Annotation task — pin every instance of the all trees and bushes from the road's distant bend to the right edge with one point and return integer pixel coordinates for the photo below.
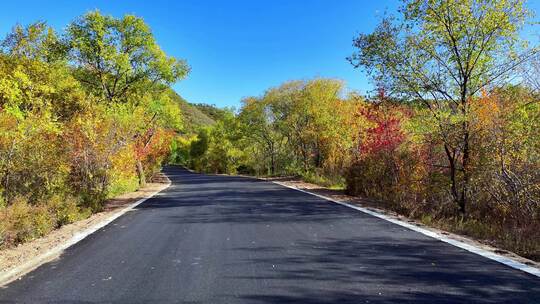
(451, 135)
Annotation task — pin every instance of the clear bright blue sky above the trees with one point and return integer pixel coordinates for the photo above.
(236, 48)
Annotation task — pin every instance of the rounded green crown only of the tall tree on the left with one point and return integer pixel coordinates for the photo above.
(118, 57)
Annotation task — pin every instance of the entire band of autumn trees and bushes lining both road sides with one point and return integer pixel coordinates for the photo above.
(452, 136)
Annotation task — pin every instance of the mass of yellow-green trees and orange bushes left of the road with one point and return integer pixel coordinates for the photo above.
(84, 115)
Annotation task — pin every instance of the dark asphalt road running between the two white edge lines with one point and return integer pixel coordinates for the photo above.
(218, 239)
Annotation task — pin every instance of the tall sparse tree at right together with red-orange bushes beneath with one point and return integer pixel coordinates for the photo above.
(450, 131)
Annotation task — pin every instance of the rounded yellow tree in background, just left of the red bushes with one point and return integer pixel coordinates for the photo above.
(313, 116)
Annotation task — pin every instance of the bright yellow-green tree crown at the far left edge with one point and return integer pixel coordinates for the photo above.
(34, 74)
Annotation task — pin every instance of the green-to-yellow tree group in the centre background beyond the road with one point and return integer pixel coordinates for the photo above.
(298, 127)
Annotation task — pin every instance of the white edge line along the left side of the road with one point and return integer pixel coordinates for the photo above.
(25, 268)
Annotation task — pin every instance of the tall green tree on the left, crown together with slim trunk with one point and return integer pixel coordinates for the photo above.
(120, 61)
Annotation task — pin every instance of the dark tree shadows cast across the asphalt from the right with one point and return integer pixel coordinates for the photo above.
(386, 264)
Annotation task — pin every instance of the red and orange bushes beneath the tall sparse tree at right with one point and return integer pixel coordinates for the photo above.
(401, 162)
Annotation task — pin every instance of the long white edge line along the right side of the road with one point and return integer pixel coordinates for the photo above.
(479, 251)
